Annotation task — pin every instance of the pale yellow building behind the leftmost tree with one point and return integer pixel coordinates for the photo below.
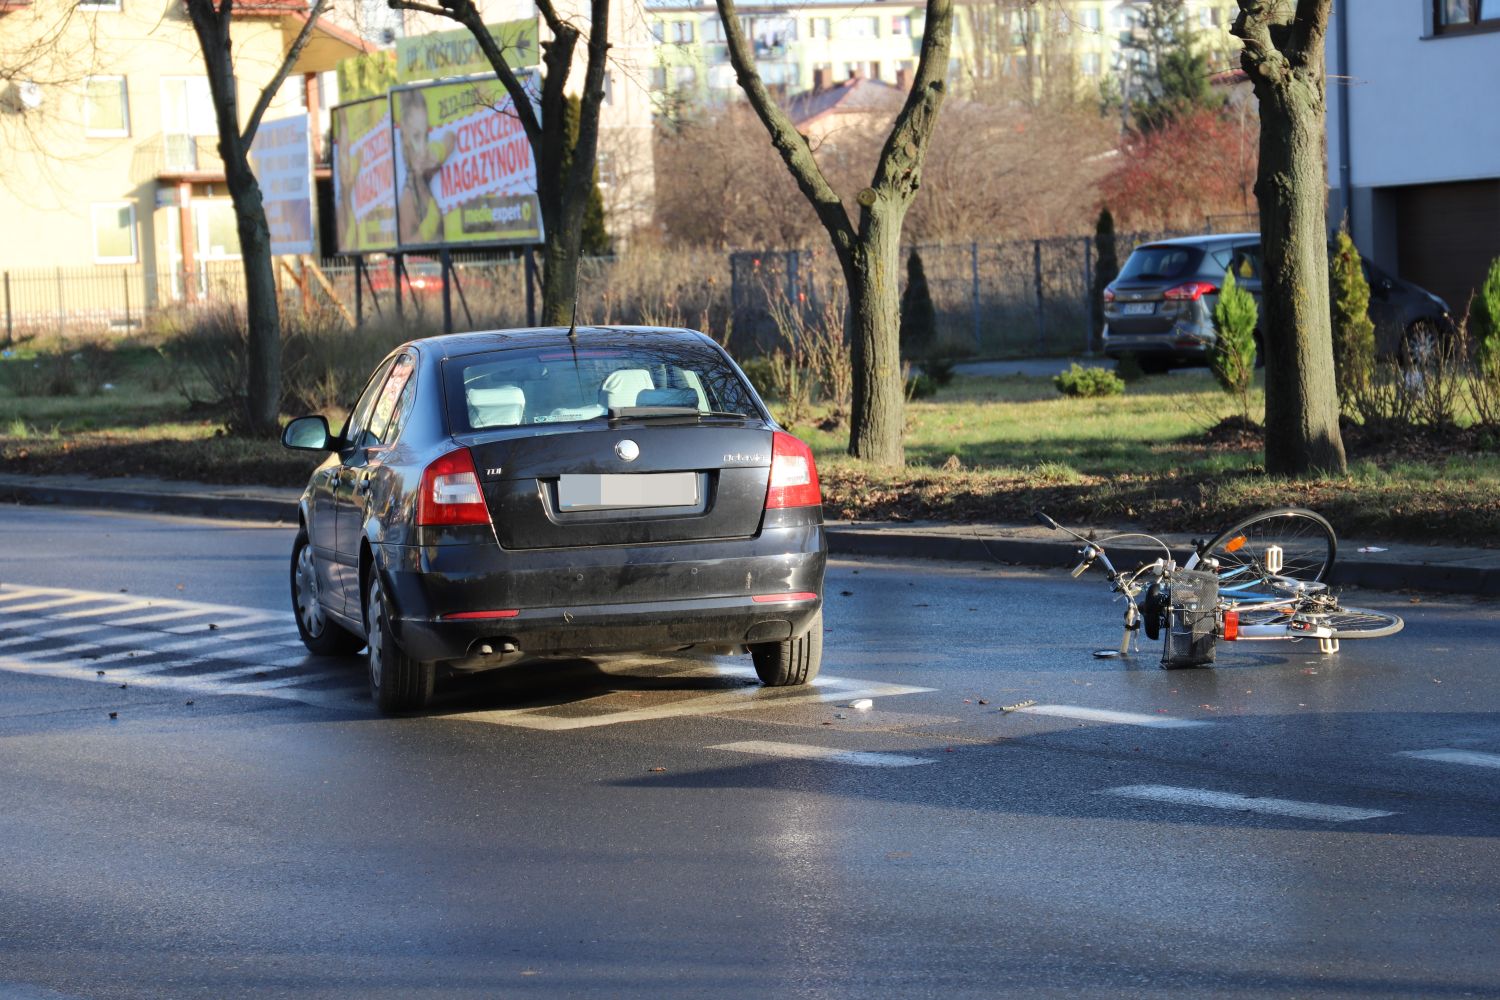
(112, 191)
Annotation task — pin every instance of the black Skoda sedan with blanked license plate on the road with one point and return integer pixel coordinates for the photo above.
(506, 496)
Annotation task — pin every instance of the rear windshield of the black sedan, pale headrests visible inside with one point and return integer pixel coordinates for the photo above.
(562, 385)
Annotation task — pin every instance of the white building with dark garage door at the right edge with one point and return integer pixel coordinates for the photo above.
(1414, 137)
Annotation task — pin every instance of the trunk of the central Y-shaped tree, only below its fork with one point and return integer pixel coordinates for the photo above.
(872, 272)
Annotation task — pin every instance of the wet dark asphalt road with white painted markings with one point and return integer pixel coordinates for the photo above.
(1283, 825)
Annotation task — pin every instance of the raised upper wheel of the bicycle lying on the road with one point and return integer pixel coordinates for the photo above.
(1304, 537)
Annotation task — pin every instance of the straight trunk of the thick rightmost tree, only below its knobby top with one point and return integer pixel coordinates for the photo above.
(1301, 391)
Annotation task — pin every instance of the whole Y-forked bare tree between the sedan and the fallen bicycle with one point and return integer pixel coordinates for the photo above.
(869, 254)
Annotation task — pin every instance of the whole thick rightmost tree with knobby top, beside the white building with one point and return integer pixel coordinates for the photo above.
(1285, 61)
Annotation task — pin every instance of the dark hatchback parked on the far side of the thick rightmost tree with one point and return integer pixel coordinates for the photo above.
(1160, 308)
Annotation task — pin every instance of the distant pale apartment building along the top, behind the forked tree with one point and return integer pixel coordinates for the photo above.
(803, 46)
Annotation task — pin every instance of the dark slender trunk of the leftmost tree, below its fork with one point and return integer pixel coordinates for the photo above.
(262, 310)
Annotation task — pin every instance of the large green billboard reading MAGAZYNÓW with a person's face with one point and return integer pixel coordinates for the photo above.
(464, 166)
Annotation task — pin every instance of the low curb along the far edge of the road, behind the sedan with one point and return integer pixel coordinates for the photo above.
(889, 542)
